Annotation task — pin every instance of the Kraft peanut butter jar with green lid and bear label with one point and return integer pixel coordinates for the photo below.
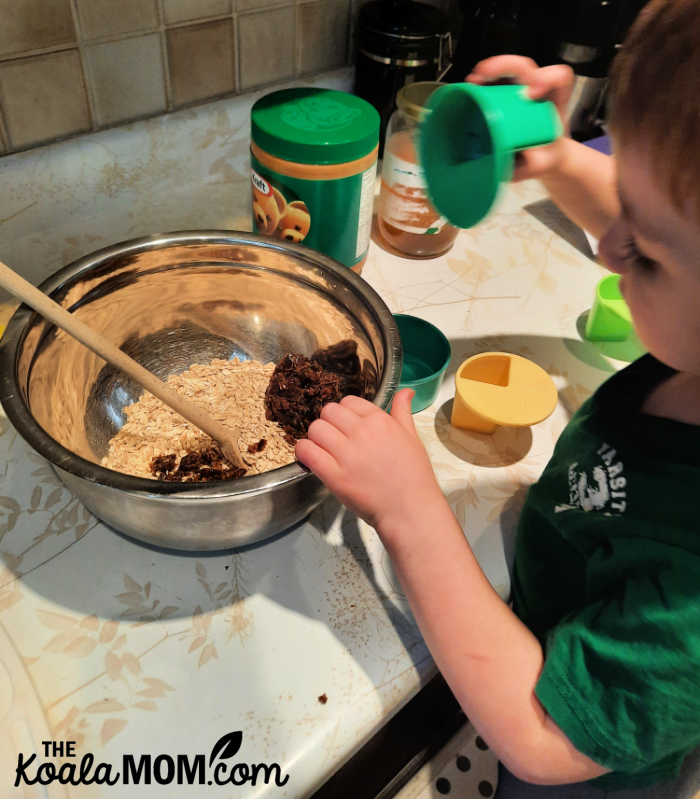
(313, 168)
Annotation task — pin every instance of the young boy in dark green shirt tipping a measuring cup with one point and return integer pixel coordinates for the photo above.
(595, 672)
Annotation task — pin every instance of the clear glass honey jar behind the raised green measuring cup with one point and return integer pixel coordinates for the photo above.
(406, 219)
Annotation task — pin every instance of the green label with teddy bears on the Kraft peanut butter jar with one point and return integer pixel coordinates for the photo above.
(333, 216)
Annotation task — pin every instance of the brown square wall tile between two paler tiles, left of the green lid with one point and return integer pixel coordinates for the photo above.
(201, 60)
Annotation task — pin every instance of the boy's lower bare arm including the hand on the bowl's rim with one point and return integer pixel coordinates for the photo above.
(377, 466)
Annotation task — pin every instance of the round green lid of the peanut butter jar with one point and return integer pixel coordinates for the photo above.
(314, 126)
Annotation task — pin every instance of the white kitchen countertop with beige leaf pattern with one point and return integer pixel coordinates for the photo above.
(130, 650)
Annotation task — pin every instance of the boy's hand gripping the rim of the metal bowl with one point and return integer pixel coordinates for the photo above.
(372, 461)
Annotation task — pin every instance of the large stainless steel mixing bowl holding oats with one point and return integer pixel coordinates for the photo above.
(170, 301)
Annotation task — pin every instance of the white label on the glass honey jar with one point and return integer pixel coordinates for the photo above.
(404, 200)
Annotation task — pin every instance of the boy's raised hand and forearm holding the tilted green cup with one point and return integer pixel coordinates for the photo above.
(580, 180)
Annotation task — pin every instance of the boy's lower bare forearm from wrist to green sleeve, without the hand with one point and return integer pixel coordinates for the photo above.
(489, 658)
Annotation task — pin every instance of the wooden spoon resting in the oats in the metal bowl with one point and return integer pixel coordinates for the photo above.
(192, 412)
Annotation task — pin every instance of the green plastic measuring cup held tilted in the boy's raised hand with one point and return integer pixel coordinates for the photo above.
(468, 142)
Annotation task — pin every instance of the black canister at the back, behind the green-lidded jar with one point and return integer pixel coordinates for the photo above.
(398, 42)
